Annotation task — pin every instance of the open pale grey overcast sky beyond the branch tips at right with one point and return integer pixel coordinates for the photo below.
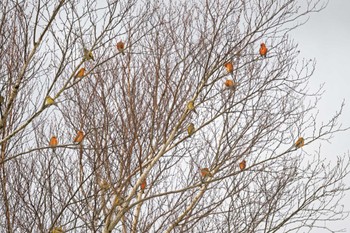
(326, 37)
